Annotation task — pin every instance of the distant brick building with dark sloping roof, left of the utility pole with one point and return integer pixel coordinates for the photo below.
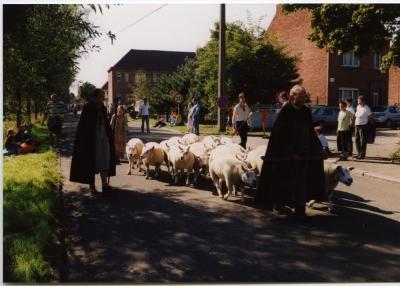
(150, 63)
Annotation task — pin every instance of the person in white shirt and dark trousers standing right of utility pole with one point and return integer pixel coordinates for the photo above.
(241, 113)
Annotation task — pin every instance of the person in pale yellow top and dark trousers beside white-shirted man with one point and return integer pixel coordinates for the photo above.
(344, 130)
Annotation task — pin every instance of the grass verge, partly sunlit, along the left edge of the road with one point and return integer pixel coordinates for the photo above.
(29, 188)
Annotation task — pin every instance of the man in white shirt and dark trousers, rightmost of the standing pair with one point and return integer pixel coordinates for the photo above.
(362, 116)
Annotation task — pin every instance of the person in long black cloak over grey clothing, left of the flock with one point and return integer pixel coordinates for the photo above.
(94, 150)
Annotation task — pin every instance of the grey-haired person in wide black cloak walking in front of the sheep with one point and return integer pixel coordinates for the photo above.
(293, 171)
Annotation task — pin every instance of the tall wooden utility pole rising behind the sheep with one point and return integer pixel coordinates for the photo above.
(221, 68)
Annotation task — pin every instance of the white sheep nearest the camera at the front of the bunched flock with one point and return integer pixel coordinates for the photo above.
(231, 171)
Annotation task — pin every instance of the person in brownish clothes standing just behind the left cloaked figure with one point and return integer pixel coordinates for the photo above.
(119, 124)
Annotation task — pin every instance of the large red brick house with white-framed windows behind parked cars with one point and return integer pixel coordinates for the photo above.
(329, 77)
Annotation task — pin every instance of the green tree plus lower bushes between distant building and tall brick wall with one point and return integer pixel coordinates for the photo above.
(253, 65)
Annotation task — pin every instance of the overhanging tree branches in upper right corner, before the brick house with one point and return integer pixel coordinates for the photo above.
(340, 28)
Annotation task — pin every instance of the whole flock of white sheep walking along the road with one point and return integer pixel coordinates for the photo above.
(217, 156)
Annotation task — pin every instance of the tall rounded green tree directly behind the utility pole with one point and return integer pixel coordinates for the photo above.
(254, 65)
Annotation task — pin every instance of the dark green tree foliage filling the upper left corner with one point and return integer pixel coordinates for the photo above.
(42, 44)
